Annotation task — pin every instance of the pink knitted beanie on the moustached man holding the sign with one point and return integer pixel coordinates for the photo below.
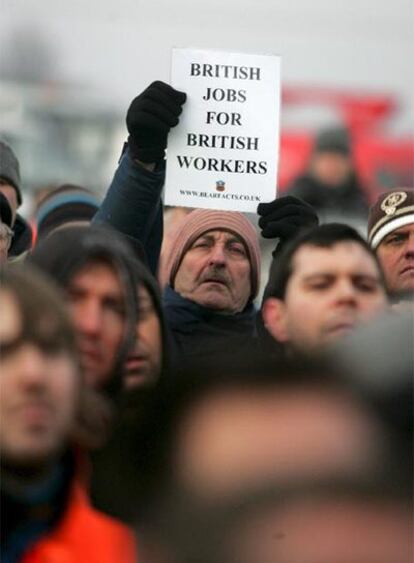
(199, 222)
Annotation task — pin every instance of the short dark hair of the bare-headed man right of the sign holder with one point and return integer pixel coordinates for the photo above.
(323, 236)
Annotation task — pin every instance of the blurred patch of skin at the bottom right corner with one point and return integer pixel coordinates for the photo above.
(292, 533)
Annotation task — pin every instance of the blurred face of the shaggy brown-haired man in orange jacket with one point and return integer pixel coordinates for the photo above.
(39, 392)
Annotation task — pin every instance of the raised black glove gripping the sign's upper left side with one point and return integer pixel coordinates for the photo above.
(149, 119)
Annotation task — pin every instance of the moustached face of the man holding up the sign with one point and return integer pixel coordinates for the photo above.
(215, 272)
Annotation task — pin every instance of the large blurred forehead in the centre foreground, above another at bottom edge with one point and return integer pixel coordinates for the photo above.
(279, 435)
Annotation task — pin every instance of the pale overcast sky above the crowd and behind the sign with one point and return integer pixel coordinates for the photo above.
(118, 46)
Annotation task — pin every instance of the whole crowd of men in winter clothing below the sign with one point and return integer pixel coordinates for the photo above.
(155, 409)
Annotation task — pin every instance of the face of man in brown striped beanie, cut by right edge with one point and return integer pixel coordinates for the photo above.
(396, 255)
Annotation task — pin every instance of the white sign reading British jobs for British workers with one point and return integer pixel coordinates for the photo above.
(224, 152)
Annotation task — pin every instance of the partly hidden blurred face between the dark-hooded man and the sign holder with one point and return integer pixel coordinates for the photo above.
(144, 361)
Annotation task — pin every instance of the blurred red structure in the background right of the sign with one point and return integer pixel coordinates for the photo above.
(382, 161)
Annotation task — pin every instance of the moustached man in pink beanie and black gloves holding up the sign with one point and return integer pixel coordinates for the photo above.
(213, 270)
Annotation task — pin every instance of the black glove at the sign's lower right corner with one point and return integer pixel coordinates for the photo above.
(284, 217)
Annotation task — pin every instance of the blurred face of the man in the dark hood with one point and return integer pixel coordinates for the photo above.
(97, 307)
